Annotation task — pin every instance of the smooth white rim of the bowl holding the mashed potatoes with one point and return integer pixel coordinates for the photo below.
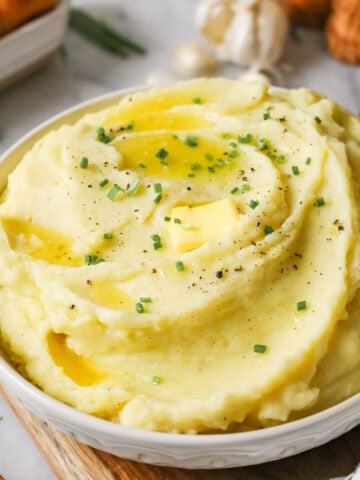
(10, 376)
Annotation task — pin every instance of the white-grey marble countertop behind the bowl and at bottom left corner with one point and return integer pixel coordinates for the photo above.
(83, 72)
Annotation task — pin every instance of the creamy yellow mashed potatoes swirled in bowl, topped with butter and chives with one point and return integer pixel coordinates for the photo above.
(187, 260)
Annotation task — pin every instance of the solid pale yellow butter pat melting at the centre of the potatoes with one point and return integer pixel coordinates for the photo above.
(202, 224)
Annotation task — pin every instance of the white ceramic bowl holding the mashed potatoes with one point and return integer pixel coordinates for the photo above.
(187, 451)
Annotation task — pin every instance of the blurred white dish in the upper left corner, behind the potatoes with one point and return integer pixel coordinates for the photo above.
(31, 45)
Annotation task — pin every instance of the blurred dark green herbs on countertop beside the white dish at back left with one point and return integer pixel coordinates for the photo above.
(102, 35)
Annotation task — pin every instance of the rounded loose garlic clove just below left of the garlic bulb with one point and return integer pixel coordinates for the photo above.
(192, 61)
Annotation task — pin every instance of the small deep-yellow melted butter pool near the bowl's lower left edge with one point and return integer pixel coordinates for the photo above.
(80, 369)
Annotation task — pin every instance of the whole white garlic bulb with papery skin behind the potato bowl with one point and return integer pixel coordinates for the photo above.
(245, 32)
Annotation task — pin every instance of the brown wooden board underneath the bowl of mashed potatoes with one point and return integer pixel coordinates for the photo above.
(71, 460)
